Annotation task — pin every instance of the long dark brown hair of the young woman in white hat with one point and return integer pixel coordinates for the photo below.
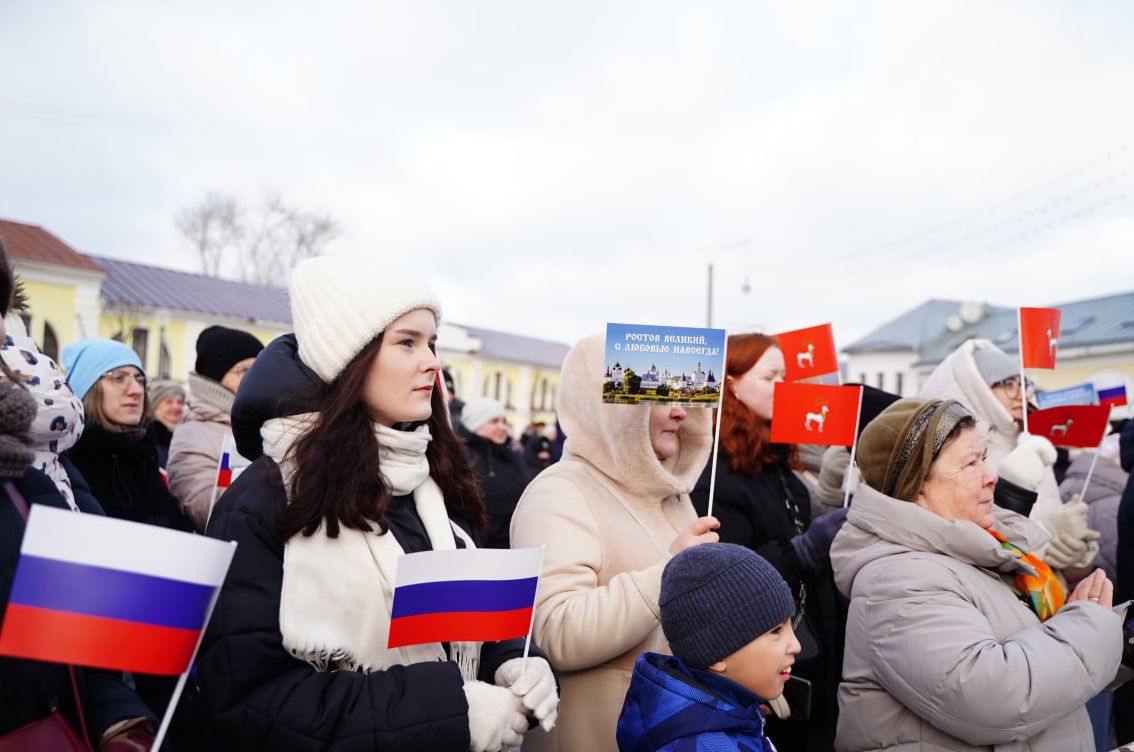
(337, 472)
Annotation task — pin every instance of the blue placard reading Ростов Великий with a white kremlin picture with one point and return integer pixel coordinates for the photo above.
(663, 366)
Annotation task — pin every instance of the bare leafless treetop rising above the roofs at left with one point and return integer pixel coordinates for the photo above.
(264, 243)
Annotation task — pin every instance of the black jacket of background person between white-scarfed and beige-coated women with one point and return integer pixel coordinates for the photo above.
(503, 476)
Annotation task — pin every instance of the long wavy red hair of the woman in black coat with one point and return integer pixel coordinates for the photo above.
(746, 436)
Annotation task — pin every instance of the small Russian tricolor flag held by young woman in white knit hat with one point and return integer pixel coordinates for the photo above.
(464, 596)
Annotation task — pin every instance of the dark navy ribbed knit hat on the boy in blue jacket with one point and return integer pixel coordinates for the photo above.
(716, 598)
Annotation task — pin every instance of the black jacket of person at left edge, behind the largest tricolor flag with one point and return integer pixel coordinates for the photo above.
(30, 688)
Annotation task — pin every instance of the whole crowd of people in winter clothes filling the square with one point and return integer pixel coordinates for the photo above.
(969, 597)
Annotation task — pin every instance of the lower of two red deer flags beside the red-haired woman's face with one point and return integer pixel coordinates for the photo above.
(815, 413)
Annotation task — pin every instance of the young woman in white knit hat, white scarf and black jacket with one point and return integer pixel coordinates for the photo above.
(356, 464)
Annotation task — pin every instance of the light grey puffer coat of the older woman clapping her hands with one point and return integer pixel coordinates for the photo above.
(942, 654)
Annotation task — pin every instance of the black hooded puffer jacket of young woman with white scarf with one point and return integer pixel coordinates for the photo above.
(256, 695)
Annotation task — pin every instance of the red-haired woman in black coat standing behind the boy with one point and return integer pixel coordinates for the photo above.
(764, 505)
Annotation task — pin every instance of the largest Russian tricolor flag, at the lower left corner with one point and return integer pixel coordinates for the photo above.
(109, 594)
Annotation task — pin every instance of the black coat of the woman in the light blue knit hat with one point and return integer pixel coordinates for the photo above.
(123, 472)
